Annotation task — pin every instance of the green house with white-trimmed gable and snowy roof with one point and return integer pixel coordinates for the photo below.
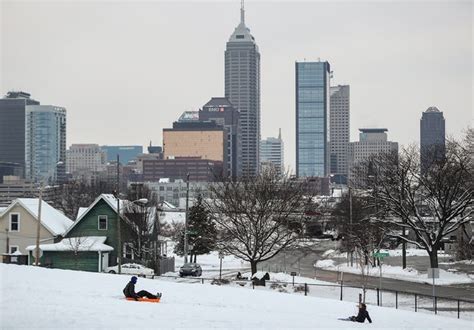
(91, 243)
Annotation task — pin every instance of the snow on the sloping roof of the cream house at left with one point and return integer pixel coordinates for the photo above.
(53, 220)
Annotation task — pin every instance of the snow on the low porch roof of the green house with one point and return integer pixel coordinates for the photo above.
(84, 243)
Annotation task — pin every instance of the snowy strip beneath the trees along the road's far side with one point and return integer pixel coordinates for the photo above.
(397, 272)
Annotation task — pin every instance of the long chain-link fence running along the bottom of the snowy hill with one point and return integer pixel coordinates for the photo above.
(460, 308)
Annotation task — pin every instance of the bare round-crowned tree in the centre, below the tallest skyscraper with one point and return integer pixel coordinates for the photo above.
(257, 217)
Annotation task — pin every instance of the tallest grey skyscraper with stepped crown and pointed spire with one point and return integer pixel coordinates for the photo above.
(242, 88)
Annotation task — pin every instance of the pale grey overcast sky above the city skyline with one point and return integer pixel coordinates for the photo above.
(126, 70)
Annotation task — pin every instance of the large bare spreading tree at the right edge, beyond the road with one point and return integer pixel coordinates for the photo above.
(431, 205)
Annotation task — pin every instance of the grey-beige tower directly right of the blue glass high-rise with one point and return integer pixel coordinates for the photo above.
(339, 130)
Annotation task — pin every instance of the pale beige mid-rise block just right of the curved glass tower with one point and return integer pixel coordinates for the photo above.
(85, 159)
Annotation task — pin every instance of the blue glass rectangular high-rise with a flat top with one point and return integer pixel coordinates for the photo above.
(312, 122)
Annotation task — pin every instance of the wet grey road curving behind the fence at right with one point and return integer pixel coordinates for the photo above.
(302, 262)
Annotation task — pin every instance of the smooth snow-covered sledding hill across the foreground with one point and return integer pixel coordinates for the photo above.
(49, 298)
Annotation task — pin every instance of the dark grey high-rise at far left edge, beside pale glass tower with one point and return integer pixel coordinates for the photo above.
(12, 128)
